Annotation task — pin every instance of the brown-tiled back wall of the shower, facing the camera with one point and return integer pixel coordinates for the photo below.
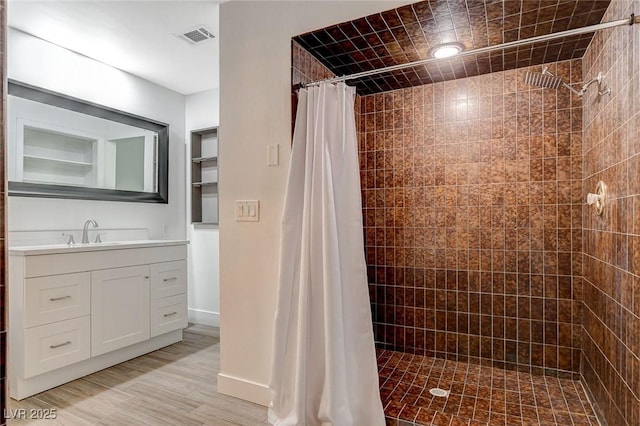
(472, 206)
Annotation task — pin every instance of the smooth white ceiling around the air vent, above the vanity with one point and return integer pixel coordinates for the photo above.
(135, 36)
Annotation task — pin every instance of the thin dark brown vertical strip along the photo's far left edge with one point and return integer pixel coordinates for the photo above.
(3, 198)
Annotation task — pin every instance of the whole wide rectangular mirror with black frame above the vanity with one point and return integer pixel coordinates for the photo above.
(63, 147)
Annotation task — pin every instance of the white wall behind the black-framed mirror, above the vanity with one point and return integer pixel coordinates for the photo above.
(37, 62)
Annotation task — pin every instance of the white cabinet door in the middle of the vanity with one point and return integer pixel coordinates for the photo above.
(119, 308)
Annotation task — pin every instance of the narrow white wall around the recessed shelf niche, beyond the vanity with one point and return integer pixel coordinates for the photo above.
(202, 112)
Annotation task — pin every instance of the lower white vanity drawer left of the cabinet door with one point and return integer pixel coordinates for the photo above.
(56, 345)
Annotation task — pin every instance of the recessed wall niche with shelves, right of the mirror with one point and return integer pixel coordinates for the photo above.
(204, 176)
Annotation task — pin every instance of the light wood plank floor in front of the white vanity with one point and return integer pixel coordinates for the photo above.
(176, 386)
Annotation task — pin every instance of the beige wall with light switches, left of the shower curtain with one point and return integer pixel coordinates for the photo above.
(255, 60)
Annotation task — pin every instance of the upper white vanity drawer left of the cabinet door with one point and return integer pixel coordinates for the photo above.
(56, 298)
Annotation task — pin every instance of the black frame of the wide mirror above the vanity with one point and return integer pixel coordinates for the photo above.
(26, 189)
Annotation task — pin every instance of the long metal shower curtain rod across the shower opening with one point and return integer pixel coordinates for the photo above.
(576, 31)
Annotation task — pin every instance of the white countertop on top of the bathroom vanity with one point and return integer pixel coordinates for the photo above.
(76, 248)
